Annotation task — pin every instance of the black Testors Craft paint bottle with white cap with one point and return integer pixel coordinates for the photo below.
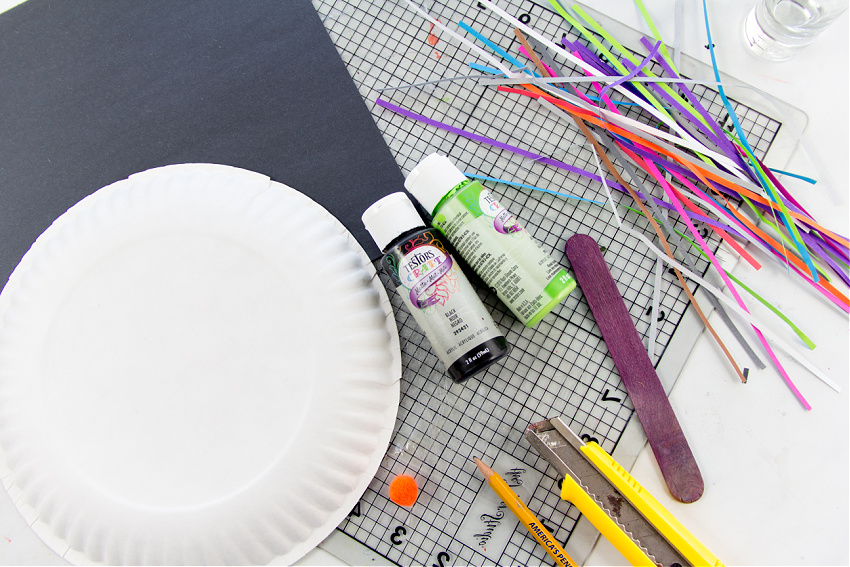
(432, 285)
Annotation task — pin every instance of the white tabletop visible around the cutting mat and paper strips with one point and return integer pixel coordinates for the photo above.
(776, 475)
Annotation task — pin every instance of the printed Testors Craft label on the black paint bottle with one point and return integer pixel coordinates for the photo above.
(441, 300)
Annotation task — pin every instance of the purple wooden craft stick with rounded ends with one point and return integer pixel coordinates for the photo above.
(654, 411)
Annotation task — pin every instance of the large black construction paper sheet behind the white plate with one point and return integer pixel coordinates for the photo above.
(92, 92)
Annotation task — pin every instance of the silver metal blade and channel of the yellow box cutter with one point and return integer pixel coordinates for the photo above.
(562, 449)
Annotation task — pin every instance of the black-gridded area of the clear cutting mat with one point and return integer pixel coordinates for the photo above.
(561, 367)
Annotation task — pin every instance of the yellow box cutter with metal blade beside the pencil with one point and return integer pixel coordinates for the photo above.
(607, 495)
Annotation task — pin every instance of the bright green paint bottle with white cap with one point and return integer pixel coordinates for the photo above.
(490, 239)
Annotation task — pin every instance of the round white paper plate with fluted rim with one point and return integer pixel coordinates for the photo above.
(197, 365)
